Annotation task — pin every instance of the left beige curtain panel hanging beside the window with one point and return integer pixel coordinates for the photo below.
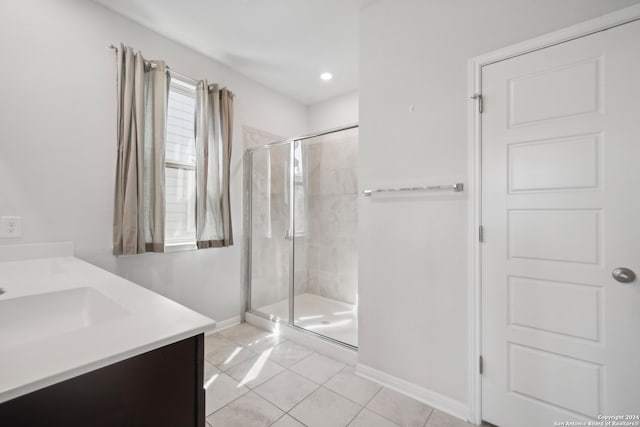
(138, 220)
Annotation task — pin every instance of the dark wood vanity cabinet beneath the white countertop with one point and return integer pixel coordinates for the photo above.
(160, 388)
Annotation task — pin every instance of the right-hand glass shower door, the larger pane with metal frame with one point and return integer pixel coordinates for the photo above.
(325, 197)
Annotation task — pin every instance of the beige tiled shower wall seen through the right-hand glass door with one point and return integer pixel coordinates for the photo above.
(332, 216)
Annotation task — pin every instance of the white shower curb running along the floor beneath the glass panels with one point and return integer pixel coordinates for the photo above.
(328, 348)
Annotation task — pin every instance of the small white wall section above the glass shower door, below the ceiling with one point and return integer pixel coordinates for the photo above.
(332, 113)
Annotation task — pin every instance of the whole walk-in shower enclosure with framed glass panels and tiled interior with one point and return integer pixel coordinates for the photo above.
(302, 223)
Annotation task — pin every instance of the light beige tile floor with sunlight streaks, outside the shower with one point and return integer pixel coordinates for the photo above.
(254, 378)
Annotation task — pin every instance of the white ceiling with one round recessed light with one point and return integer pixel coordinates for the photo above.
(283, 44)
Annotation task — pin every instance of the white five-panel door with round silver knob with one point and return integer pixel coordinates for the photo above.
(561, 211)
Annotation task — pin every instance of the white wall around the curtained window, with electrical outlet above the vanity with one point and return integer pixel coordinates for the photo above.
(58, 141)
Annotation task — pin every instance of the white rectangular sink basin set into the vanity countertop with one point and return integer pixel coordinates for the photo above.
(35, 317)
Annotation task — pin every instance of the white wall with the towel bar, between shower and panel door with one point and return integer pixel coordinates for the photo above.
(413, 251)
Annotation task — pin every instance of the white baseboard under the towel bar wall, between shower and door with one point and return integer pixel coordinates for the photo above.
(435, 400)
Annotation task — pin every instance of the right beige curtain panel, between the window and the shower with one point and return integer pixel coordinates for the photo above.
(214, 135)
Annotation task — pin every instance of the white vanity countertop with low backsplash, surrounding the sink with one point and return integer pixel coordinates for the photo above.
(146, 321)
